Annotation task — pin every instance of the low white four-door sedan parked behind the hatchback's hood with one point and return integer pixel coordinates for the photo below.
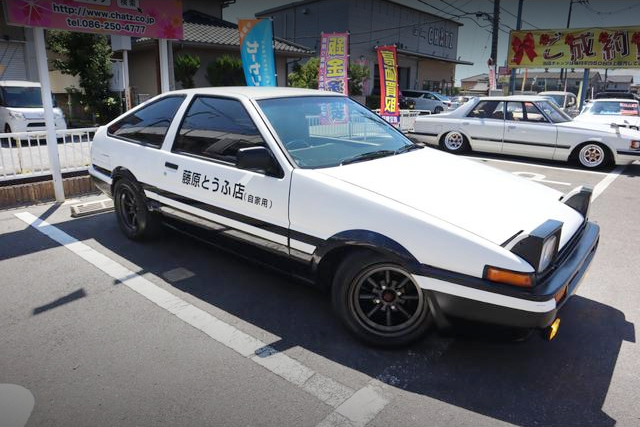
(530, 126)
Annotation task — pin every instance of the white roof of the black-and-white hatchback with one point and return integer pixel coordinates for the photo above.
(255, 92)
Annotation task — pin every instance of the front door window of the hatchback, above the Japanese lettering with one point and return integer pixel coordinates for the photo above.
(216, 128)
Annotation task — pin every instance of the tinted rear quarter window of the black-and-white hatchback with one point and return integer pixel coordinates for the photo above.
(148, 125)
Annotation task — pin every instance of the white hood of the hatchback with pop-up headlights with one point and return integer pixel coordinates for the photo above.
(480, 199)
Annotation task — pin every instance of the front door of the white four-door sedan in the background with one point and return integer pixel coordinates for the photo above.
(528, 132)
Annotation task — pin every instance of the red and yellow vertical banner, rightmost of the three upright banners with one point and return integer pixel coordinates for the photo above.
(388, 66)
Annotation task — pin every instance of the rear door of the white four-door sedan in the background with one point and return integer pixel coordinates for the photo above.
(484, 125)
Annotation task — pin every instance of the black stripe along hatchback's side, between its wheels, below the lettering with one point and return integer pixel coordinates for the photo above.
(254, 222)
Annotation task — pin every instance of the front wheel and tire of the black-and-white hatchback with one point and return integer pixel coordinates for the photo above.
(379, 301)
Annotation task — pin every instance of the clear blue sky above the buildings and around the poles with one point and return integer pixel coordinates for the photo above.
(474, 37)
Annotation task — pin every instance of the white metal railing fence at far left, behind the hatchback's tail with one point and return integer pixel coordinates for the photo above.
(25, 154)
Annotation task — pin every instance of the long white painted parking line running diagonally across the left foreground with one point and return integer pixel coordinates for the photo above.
(357, 406)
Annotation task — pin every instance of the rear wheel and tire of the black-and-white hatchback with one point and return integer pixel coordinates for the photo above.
(134, 218)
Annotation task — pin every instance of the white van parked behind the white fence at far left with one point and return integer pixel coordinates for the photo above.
(21, 108)
